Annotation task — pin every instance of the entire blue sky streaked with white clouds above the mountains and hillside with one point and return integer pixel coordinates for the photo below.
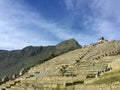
(48, 22)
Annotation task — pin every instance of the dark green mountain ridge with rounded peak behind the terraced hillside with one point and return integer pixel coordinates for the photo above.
(11, 62)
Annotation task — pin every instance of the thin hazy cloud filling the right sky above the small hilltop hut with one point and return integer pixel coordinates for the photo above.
(100, 17)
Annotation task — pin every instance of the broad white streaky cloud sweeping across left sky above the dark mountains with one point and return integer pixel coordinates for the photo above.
(21, 25)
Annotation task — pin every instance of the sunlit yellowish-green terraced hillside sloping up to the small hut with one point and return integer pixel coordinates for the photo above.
(75, 70)
